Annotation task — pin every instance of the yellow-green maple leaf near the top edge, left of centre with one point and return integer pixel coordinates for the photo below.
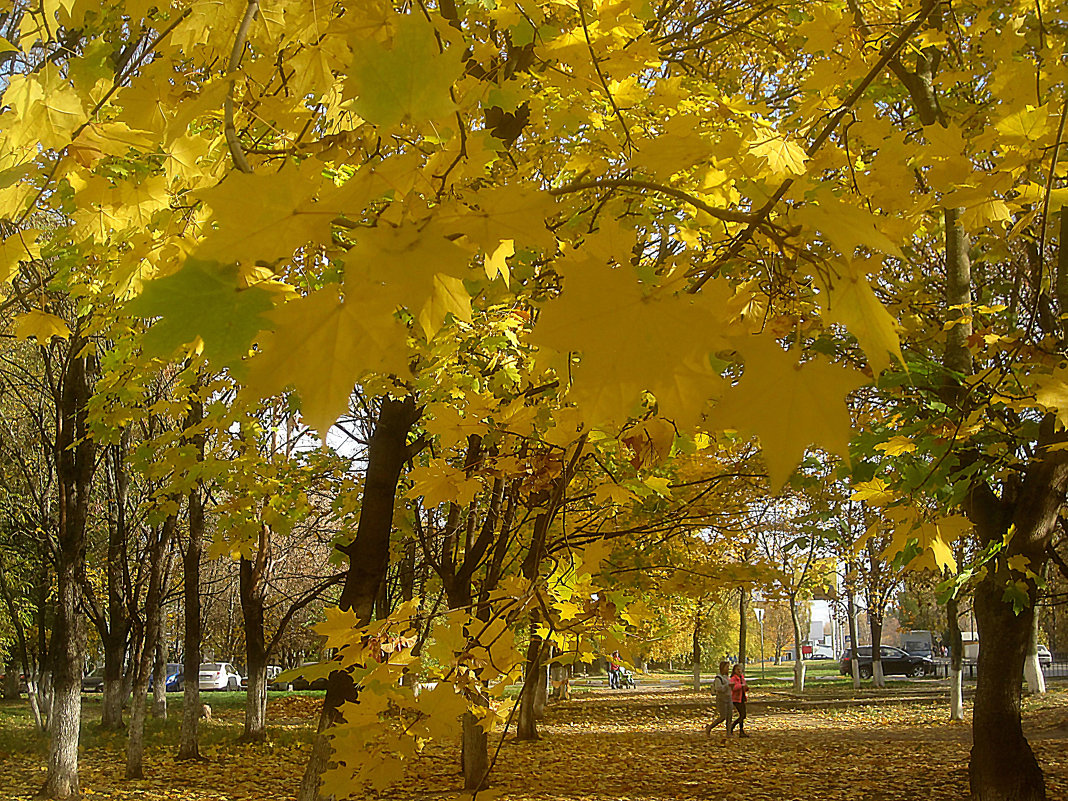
(409, 82)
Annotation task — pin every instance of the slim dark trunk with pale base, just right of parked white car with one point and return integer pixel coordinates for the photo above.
(254, 591)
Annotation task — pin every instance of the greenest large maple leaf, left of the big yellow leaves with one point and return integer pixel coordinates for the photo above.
(202, 300)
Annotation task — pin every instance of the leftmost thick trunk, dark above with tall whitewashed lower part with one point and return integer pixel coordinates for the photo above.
(75, 460)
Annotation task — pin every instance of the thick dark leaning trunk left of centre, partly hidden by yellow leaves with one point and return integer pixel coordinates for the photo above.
(368, 562)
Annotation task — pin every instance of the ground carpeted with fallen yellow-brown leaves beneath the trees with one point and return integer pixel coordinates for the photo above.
(604, 746)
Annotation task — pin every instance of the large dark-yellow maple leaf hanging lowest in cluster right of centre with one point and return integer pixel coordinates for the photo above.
(790, 406)
